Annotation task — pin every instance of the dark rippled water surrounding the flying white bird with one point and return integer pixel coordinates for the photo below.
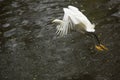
(30, 49)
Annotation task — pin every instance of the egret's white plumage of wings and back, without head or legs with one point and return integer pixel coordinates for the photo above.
(72, 17)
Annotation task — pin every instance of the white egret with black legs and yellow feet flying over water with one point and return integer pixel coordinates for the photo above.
(74, 19)
